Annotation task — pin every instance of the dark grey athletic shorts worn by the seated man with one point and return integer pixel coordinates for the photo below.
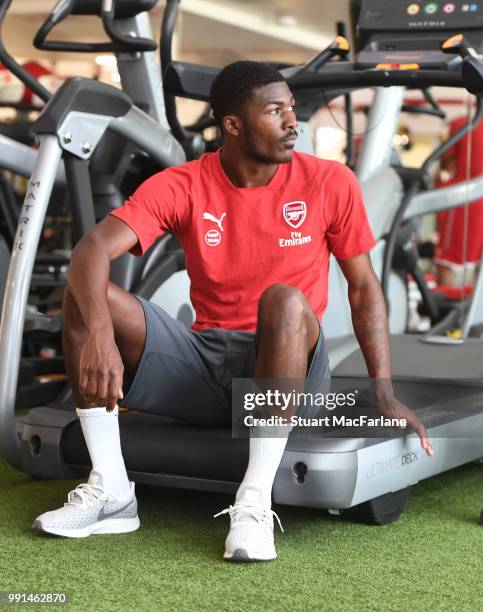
(187, 375)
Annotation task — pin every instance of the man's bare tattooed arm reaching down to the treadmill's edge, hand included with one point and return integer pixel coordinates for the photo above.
(369, 318)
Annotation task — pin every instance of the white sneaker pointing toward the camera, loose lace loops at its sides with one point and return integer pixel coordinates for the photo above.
(251, 532)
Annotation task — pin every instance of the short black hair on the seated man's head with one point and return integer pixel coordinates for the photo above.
(234, 85)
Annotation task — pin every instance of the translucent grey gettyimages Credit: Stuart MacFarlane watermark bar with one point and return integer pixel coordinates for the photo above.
(356, 407)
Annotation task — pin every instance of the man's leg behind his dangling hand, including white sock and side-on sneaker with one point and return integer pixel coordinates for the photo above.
(108, 492)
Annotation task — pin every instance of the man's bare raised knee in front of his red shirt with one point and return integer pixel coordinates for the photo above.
(282, 307)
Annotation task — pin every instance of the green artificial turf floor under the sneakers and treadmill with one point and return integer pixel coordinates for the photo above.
(431, 559)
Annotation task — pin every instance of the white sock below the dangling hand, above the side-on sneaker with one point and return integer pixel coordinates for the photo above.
(101, 433)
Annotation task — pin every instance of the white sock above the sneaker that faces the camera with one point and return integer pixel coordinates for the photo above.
(265, 456)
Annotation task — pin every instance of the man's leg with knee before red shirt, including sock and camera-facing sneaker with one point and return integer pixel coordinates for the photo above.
(287, 334)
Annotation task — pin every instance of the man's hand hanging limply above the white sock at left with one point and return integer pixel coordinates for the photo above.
(101, 370)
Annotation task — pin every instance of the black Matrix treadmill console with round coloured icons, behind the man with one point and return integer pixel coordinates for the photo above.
(411, 32)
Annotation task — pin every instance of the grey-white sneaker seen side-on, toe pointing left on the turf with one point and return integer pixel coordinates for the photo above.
(90, 509)
